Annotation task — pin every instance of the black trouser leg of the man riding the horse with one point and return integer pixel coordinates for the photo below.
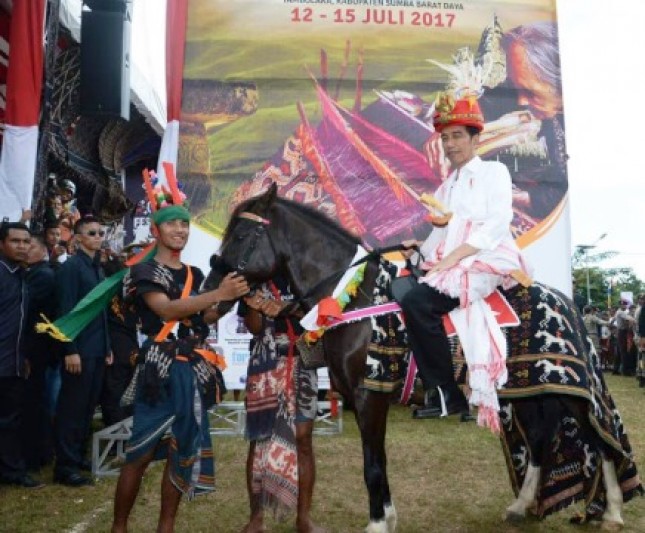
(423, 309)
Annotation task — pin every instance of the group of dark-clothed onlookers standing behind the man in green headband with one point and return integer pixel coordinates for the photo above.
(49, 388)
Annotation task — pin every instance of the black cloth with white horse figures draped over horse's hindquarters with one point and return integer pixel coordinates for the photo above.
(549, 353)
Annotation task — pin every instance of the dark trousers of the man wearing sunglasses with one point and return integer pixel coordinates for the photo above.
(79, 395)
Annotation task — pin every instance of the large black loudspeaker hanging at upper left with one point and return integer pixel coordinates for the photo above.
(105, 60)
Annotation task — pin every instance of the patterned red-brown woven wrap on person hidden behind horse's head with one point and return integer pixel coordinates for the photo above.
(279, 393)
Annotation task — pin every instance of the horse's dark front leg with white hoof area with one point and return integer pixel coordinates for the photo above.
(371, 410)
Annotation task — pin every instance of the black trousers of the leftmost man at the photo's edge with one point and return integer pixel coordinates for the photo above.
(12, 394)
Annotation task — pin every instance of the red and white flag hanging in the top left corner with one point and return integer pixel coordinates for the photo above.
(22, 109)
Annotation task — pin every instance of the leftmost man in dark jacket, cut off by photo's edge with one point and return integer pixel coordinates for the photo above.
(14, 242)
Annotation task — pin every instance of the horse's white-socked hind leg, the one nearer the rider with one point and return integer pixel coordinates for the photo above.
(539, 418)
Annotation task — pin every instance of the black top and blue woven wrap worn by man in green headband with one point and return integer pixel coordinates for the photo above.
(173, 385)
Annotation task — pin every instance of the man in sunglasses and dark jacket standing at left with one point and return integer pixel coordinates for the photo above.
(85, 358)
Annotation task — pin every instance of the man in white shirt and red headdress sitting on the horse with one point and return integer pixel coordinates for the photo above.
(465, 260)
